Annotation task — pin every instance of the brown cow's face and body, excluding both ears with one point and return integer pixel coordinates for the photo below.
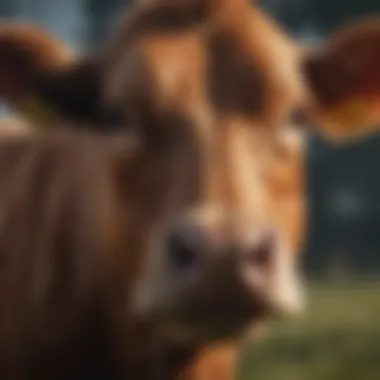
(138, 255)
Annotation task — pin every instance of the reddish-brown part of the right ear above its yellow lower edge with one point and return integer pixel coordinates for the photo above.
(347, 66)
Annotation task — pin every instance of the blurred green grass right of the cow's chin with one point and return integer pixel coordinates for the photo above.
(338, 338)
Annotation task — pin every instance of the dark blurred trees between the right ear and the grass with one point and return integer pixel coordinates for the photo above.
(344, 189)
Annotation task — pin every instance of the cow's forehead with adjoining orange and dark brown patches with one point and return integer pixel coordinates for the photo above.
(211, 74)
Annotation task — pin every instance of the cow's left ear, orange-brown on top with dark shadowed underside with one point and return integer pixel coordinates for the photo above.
(41, 79)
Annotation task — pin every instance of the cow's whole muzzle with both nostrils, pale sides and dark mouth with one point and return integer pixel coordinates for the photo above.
(210, 288)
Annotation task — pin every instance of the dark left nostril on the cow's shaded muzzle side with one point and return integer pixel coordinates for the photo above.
(184, 248)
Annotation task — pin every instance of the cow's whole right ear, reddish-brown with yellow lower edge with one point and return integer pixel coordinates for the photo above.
(343, 75)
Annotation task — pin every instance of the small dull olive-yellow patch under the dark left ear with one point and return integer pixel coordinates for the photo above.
(37, 112)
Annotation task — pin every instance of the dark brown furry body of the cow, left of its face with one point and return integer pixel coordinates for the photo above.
(69, 252)
